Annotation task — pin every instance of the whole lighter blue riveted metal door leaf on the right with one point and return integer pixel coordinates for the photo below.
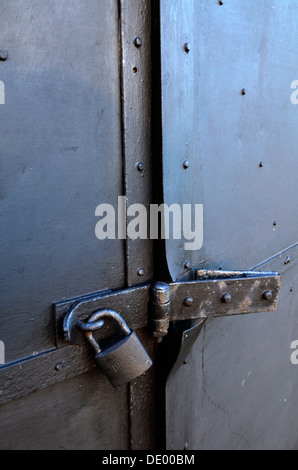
(228, 72)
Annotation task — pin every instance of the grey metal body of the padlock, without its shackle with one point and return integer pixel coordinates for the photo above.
(124, 361)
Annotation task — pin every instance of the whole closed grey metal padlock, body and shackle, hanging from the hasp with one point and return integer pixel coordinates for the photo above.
(123, 360)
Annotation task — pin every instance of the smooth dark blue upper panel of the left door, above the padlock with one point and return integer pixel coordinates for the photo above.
(60, 150)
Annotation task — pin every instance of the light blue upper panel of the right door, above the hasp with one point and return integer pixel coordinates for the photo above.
(225, 135)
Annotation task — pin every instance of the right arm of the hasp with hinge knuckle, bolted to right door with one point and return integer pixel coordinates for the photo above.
(213, 294)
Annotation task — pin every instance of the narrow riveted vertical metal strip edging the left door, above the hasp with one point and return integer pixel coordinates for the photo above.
(136, 114)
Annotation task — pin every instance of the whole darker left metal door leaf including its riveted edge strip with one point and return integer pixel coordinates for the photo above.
(76, 112)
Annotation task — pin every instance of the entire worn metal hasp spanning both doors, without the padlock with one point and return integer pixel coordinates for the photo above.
(207, 294)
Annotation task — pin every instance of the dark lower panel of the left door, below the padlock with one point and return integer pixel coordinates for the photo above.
(83, 413)
